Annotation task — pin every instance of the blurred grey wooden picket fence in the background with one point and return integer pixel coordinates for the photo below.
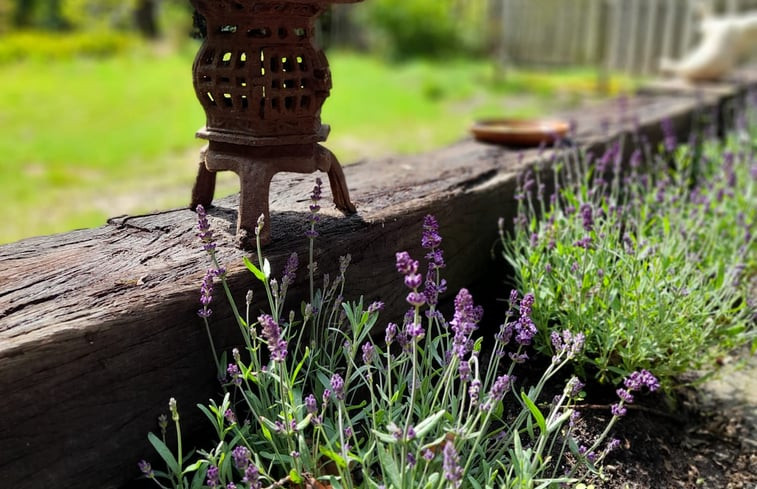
(619, 35)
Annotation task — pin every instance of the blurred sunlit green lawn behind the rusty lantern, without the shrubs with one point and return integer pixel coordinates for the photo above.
(83, 140)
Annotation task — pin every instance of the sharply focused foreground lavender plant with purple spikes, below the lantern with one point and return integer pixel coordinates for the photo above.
(316, 400)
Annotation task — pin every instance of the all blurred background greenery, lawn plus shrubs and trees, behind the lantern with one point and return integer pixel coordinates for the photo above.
(98, 113)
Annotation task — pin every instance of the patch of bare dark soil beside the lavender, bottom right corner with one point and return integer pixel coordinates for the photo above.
(709, 442)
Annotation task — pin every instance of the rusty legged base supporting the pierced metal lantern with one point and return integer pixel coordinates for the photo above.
(255, 167)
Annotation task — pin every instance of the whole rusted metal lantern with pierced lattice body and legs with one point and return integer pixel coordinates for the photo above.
(262, 82)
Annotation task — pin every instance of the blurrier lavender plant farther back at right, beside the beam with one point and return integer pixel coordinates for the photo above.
(652, 266)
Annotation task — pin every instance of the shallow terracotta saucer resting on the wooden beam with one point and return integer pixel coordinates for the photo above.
(519, 132)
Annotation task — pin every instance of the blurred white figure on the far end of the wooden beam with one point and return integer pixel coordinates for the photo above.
(725, 41)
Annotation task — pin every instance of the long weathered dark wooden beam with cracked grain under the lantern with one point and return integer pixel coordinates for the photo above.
(98, 328)
